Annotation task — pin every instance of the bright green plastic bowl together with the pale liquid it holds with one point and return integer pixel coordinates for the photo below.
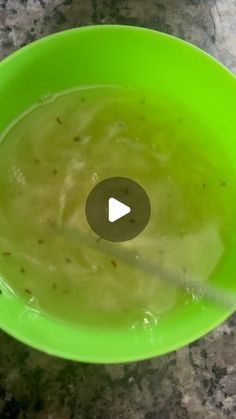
(99, 103)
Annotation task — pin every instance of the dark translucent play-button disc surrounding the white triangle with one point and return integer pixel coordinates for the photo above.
(127, 192)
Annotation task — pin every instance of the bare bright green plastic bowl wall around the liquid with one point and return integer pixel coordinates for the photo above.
(125, 56)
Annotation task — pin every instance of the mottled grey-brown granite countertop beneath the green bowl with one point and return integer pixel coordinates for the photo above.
(196, 382)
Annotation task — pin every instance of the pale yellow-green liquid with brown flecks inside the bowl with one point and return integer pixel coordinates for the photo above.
(52, 157)
